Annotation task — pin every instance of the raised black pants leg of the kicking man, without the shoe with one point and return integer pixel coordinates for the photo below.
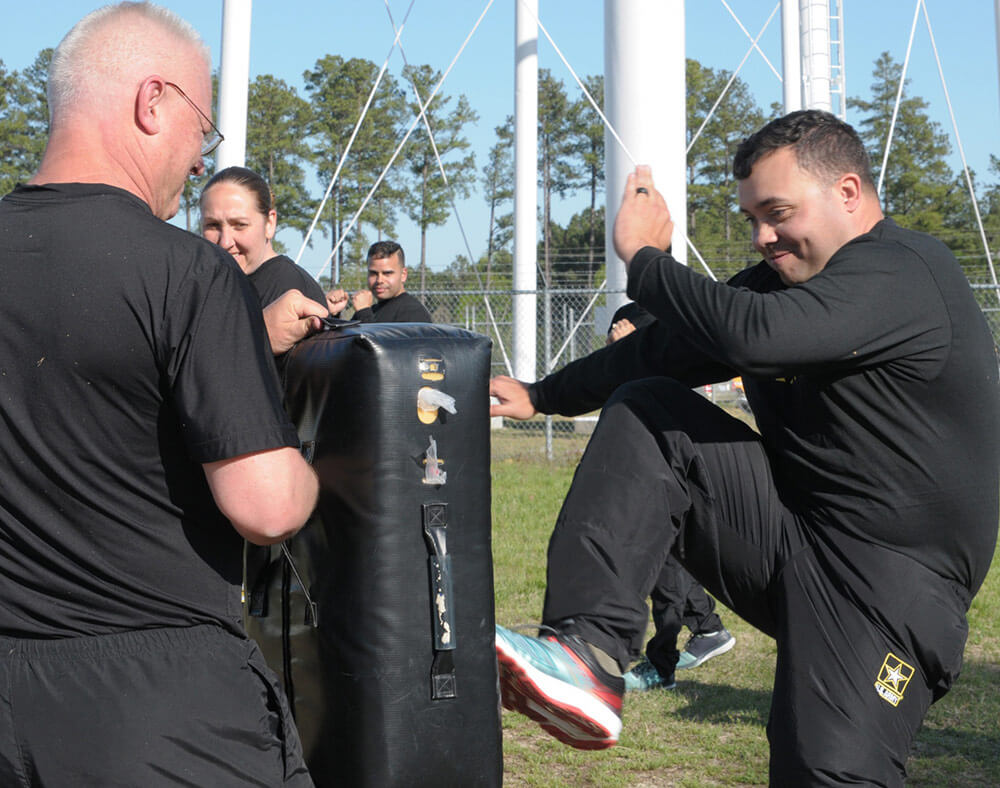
(664, 470)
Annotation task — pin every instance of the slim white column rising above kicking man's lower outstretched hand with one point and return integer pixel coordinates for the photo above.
(525, 320)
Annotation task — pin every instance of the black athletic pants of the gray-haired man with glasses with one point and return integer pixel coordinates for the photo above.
(166, 707)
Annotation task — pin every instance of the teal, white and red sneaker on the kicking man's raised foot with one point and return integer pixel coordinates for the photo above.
(556, 681)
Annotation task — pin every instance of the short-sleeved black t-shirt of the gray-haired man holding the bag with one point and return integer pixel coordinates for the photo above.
(146, 358)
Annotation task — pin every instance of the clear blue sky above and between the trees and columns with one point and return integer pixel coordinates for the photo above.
(289, 36)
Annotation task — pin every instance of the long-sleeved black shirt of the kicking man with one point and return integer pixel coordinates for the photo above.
(874, 386)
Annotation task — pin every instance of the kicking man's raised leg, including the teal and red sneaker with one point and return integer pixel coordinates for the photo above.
(663, 466)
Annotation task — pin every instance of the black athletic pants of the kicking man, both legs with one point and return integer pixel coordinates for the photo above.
(866, 637)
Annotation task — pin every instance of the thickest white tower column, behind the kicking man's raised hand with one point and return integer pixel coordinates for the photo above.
(644, 99)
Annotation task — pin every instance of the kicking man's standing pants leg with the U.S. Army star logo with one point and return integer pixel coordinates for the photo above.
(868, 639)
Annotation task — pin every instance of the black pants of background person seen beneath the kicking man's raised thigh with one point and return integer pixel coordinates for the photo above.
(677, 601)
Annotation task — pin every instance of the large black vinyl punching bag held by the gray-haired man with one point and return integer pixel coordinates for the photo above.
(396, 683)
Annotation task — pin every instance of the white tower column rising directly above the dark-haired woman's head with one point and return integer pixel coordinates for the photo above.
(234, 83)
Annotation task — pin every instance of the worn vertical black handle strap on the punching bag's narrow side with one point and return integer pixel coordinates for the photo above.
(435, 522)
